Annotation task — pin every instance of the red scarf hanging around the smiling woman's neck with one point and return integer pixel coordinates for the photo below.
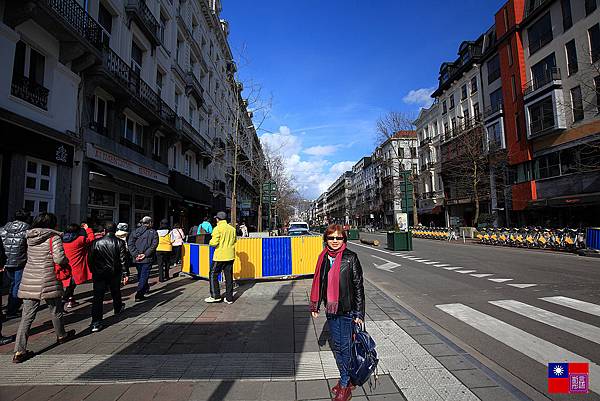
(333, 281)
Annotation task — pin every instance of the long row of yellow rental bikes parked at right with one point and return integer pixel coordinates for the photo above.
(559, 239)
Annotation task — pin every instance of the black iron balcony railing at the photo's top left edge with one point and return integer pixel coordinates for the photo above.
(73, 15)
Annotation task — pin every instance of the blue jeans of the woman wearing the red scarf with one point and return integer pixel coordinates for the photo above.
(340, 330)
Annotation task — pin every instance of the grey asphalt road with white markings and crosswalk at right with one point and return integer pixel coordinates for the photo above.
(514, 309)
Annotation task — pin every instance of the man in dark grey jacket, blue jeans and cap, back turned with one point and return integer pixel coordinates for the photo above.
(142, 245)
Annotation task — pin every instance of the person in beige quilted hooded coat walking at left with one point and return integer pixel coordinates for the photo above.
(44, 251)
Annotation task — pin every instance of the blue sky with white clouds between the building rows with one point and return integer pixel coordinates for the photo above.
(334, 67)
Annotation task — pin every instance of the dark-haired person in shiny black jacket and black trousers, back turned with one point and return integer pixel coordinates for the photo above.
(107, 259)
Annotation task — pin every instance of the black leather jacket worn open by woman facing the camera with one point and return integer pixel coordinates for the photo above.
(352, 292)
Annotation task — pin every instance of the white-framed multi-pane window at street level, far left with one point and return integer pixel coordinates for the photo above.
(40, 179)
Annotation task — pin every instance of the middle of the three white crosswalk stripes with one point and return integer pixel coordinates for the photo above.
(567, 324)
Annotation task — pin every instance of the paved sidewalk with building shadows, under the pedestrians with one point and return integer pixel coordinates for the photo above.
(263, 347)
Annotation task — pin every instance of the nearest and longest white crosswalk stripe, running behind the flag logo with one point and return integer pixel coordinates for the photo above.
(534, 347)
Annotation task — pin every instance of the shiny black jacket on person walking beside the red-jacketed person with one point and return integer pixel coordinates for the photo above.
(107, 257)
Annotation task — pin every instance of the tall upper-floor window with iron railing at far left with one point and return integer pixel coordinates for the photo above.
(28, 76)
